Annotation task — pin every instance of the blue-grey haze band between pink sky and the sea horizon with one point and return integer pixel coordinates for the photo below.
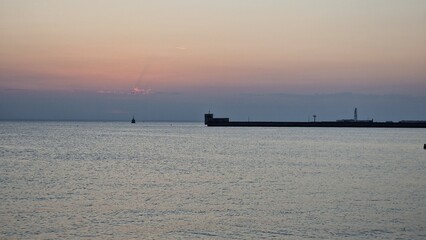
(175, 106)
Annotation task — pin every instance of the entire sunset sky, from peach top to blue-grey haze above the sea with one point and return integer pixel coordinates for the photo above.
(176, 59)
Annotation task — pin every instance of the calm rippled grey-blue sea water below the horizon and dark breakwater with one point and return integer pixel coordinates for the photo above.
(176, 180)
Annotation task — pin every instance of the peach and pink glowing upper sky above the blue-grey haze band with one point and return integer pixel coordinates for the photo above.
(260, 46)
